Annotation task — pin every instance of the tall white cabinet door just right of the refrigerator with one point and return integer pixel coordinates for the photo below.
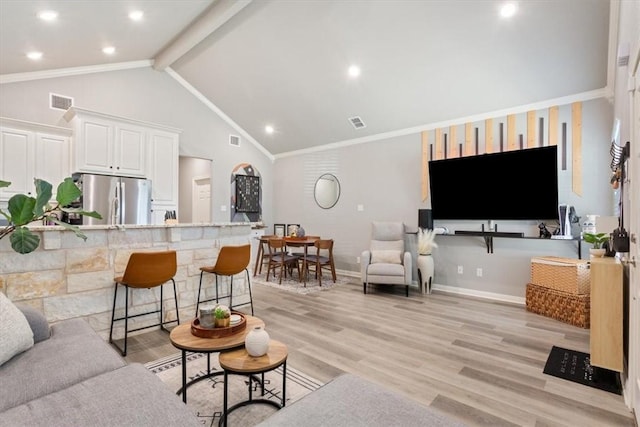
(163, 166)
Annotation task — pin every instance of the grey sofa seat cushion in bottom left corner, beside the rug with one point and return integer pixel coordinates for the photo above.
(129, 396)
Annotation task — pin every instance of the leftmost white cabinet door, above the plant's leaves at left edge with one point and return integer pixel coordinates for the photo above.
(16, 162)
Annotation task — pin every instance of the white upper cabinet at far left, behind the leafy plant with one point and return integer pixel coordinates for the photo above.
(31, 150)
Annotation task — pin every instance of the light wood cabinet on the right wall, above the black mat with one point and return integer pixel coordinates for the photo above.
(606, 314)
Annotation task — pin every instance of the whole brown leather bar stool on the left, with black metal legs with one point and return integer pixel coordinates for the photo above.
(145, 270)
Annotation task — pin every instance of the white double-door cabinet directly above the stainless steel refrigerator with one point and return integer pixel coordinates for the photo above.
(107, 144)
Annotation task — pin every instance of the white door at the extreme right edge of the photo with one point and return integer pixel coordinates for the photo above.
(634, 255)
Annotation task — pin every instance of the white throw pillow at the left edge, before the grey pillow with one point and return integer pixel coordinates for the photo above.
(15, 333)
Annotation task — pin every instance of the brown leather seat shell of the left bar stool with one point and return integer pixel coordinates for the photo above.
(149, 269)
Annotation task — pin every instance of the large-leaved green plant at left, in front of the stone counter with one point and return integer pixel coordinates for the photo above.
(23, 209)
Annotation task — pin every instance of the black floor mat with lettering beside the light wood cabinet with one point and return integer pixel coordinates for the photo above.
(576, 366)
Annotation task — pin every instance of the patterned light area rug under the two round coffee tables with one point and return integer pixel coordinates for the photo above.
(206, 396)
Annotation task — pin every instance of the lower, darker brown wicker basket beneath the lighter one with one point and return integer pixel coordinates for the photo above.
(563, 306)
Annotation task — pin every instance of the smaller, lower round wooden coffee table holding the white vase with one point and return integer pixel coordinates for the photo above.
(240, 363)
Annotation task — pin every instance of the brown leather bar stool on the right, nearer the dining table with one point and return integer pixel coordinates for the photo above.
(231, 260)
